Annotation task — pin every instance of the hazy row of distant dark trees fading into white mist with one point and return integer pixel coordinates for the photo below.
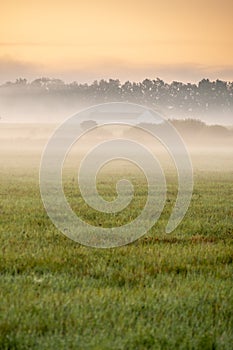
(187, 100)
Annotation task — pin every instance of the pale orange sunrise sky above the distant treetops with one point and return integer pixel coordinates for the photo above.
(84, 40)
